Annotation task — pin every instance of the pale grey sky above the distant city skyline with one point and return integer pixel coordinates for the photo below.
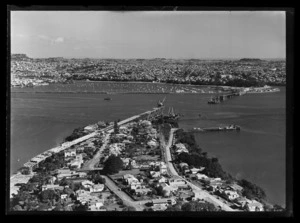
(149, 34)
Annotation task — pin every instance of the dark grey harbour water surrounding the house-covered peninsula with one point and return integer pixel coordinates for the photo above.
(257, 153)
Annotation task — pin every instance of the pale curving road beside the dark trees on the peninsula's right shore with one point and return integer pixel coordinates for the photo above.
(206, 196)
